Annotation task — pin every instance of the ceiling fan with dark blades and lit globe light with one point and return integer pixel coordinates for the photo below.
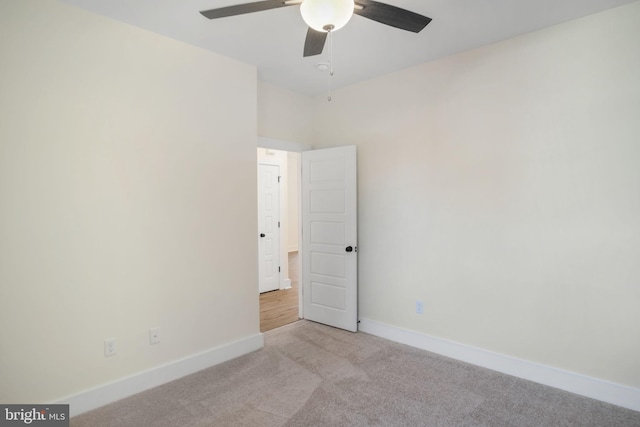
(326, 16)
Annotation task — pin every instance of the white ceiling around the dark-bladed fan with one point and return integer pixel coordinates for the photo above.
(273, 40)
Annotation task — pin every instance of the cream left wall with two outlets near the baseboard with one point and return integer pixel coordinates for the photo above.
(116, 150)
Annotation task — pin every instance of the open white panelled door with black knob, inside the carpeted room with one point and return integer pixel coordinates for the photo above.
(329, 237)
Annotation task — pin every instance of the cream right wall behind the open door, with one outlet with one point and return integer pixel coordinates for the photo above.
(501, 187)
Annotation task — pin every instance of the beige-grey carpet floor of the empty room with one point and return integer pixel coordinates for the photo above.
(313, 375)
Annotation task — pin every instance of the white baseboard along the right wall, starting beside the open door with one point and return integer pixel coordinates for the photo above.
(605, 391)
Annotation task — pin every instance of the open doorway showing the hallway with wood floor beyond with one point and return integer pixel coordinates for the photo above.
(279, 237)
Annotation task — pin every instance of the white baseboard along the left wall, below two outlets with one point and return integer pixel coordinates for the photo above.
(128, 386)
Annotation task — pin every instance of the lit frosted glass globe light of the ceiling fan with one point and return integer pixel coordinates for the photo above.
(325, 15)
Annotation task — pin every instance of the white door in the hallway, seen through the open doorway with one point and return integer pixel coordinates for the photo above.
(268, 227)
